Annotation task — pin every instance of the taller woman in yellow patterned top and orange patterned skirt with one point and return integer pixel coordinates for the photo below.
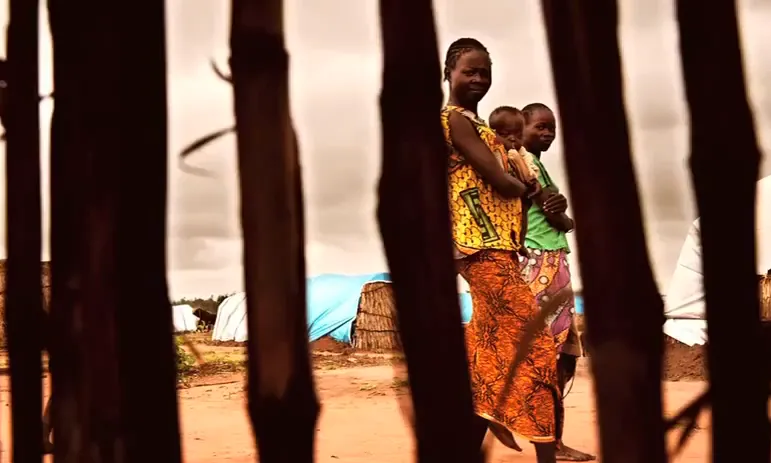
(486, 212)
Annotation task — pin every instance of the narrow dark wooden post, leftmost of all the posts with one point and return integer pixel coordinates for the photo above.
(23, 301)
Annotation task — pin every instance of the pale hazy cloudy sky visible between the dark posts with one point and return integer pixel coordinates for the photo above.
(335, 51)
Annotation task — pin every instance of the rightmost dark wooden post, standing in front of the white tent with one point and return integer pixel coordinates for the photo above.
(724, 167)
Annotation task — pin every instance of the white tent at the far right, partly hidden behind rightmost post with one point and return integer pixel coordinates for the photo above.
(685, 295)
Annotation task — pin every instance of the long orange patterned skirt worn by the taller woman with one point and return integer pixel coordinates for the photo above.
(503, 306)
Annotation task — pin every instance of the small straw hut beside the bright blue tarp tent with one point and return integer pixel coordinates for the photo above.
(375, 327)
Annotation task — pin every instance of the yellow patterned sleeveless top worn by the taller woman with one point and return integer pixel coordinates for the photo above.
(481, 218)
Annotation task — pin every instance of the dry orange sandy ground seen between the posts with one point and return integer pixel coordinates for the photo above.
(362, 418)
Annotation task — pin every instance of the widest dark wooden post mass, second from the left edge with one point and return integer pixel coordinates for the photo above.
(108, 236)
